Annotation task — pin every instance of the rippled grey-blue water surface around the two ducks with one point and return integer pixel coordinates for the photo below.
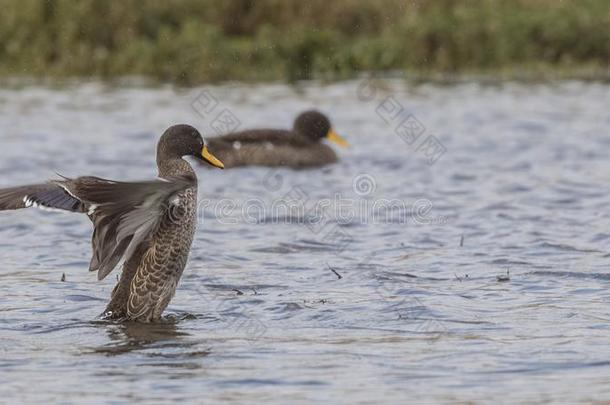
(380, 306)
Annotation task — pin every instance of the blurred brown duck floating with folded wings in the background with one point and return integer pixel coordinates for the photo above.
(300, 147)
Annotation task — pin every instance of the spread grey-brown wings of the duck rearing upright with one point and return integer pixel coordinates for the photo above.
(124, 214)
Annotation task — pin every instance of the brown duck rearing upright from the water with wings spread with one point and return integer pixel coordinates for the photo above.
(147, 225)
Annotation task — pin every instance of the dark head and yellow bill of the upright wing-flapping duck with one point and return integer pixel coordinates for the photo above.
(183, 140)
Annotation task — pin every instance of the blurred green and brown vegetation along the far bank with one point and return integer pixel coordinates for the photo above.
(195, 41)
